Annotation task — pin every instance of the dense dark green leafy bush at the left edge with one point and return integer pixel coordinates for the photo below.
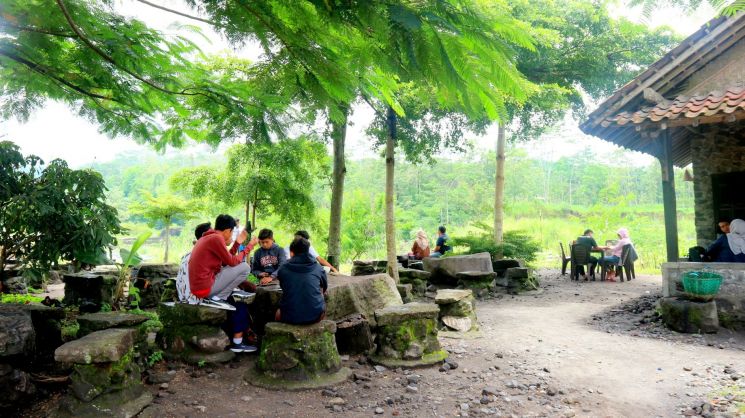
(50, 213)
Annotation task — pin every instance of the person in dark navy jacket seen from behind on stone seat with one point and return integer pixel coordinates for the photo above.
(304, 285)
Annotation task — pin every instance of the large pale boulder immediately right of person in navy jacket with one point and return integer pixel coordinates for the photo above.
(364, 295)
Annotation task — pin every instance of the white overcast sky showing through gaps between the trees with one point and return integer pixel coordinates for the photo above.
(56, 132)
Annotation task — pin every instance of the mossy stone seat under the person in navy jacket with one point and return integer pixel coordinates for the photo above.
(297, 357)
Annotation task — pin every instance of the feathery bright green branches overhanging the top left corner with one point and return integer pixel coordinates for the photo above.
(127, 78)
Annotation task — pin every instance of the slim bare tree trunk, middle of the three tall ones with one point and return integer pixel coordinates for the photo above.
(390, 218)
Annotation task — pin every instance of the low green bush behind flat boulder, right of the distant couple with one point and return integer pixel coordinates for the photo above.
(516, 245)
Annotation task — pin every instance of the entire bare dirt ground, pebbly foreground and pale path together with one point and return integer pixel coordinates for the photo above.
(539, 355)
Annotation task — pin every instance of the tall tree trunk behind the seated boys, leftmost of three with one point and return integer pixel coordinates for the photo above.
(338, 135)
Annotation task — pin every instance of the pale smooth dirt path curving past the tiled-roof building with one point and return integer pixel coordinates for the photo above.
(634, 376)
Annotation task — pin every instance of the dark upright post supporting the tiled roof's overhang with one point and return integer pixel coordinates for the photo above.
(668, 195)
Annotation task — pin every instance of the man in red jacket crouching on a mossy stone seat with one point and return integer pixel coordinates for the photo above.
(214, 272)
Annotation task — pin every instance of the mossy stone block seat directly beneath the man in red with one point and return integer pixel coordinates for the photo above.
(193, 333)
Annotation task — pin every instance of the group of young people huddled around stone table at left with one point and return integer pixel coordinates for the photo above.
(212, 275)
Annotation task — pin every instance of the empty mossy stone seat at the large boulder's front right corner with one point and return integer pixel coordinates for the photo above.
(407, 336)
